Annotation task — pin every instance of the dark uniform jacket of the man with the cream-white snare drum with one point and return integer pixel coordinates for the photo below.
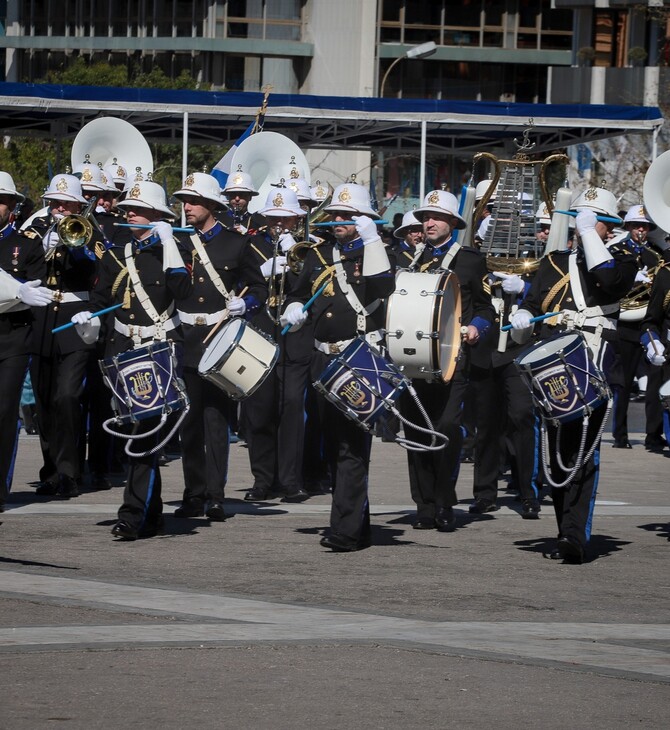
(233, 260)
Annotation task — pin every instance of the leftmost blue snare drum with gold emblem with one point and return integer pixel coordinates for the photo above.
(144, 383)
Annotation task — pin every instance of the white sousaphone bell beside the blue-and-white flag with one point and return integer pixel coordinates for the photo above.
(267, 157)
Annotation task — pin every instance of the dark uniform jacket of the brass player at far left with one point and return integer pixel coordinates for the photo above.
(69, 271)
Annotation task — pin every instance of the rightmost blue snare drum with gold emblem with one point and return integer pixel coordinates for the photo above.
(563, 379)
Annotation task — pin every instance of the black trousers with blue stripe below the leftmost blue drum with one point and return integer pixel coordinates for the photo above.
(142, 504)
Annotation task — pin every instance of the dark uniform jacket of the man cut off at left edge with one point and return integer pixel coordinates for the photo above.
(22, 256)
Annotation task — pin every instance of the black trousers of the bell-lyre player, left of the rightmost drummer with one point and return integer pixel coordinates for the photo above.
(504, 403)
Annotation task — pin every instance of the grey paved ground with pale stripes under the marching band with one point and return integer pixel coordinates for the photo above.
(251, 624)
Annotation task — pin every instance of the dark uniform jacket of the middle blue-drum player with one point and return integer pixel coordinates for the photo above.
(334, 319)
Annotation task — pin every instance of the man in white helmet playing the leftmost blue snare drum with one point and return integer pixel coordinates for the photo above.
(145, 277)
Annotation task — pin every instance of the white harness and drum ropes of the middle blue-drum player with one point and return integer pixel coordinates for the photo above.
(438, 440)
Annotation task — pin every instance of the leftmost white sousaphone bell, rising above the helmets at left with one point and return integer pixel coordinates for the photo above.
(109, 139)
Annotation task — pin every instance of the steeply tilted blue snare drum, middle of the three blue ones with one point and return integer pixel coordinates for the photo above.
(361, 383)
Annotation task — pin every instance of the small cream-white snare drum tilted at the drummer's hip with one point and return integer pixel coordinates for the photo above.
(238, 359)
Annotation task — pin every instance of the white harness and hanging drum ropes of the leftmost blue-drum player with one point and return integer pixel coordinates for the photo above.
(163, 323)
